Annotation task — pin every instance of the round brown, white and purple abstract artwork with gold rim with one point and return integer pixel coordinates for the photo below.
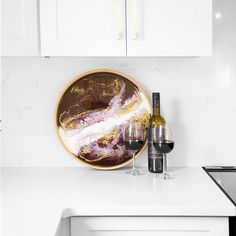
(92, 112)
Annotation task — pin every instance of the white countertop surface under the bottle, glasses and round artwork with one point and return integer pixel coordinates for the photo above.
(35, 200)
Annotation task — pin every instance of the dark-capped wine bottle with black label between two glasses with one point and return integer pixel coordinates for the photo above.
(155, 159)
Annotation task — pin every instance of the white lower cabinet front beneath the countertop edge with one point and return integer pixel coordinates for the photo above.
(149, 226)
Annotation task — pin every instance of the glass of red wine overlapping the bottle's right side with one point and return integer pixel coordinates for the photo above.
(163, 143)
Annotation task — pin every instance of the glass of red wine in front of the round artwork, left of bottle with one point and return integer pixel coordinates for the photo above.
(134, 138)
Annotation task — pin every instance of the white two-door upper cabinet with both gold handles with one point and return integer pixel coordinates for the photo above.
(126, 27)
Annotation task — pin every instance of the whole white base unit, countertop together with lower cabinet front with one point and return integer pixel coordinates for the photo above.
(76, 201)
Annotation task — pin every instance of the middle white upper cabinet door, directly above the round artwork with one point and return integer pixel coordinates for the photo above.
(83, 27)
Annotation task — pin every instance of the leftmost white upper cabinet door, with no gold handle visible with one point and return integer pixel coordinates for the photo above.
(19, 34)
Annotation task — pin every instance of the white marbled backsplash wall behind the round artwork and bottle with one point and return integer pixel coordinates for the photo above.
(197, 94)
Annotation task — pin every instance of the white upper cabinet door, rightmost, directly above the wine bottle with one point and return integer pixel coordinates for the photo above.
(169, 27)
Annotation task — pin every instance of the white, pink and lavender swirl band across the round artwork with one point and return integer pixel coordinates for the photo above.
(95, 125)
